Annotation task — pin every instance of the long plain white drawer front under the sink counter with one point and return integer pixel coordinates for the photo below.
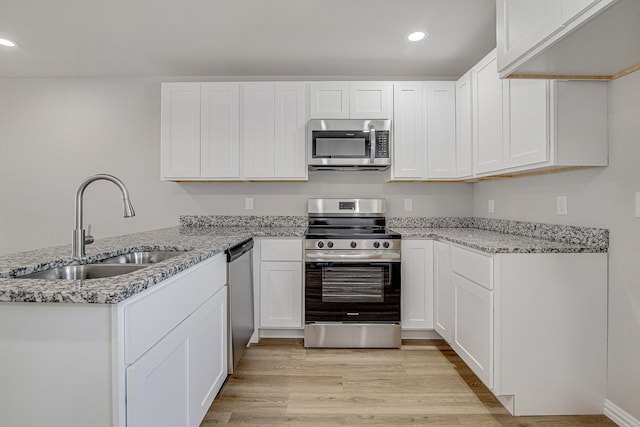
(154, 313)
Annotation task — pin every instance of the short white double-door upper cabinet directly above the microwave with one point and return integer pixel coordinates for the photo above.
(355, 100)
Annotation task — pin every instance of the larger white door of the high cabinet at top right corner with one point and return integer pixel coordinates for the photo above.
(522, 25)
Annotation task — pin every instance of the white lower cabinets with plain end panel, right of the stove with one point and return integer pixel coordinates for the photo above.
(531, 326)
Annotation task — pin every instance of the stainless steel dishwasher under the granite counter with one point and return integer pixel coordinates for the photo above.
(240, 277)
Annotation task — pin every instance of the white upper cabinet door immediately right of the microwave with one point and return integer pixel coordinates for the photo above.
(408, 140)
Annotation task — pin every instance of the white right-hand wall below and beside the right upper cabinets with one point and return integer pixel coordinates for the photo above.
(603, 197)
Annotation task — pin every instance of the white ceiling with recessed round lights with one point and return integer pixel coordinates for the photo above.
(342, 38)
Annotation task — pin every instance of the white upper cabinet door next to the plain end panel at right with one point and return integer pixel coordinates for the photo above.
(526, 122)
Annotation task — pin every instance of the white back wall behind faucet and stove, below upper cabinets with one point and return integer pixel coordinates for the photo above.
(56, 132)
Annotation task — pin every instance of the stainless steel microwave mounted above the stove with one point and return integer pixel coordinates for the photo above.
(349, 144)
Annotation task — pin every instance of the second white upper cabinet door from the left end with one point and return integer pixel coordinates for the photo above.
(220, 130)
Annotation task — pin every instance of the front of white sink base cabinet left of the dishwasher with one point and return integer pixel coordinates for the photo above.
(174, 382)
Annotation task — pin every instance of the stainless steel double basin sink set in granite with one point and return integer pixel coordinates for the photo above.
(109, 267)
